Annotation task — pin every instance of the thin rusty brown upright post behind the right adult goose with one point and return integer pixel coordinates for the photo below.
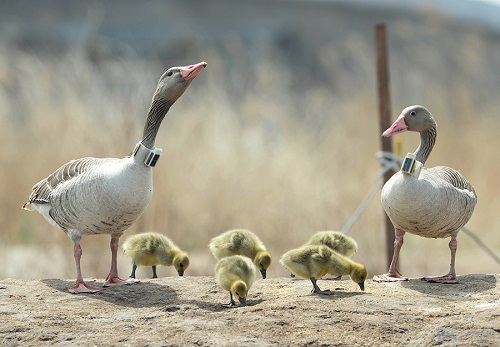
(384, 106)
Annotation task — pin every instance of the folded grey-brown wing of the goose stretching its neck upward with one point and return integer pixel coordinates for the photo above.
(42, 190)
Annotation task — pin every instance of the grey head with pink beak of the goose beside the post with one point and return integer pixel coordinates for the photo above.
(413, 118)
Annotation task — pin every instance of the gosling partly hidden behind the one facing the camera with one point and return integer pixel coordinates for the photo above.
(241, 242)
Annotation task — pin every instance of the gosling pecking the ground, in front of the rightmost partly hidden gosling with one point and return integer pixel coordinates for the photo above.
(314, 262)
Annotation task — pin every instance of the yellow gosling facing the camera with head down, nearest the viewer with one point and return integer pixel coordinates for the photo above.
(235, 274)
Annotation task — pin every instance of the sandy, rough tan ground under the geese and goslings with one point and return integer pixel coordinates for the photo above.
(187, 311)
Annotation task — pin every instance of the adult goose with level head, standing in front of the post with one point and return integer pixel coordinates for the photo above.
(430, 202)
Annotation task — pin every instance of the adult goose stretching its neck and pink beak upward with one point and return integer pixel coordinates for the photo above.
(107, 195)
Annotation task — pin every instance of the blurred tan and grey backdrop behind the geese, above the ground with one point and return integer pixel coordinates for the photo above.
(278, 134)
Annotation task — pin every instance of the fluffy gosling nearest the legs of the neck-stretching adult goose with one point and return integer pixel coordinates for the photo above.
(152, 249)
